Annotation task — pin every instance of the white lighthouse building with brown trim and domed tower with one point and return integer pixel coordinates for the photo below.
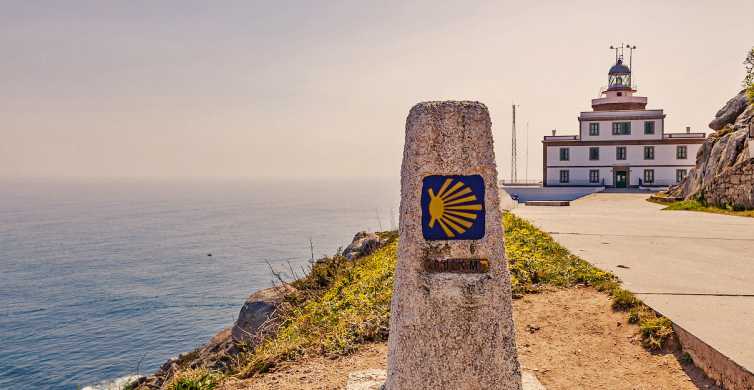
(620, 143)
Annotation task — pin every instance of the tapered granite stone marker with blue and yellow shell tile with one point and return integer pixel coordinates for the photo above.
(451, 325)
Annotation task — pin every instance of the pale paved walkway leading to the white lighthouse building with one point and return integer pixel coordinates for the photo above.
(695, 268)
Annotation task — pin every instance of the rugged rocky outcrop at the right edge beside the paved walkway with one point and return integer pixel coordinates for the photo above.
(724, 171)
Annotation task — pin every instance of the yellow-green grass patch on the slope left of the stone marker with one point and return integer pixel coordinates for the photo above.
(352, 309)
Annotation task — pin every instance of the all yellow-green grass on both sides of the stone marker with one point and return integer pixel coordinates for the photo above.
(342, 304)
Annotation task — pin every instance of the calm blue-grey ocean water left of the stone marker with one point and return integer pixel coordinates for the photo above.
(101, 277)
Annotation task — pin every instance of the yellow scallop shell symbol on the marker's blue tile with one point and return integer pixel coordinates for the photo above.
(455, 208)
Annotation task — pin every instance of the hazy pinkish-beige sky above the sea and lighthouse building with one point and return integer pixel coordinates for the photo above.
(322, 89)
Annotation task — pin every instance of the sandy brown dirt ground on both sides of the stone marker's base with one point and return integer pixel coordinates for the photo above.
(570, 338)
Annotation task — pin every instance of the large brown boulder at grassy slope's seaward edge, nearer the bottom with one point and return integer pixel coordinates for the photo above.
(258, 313)
